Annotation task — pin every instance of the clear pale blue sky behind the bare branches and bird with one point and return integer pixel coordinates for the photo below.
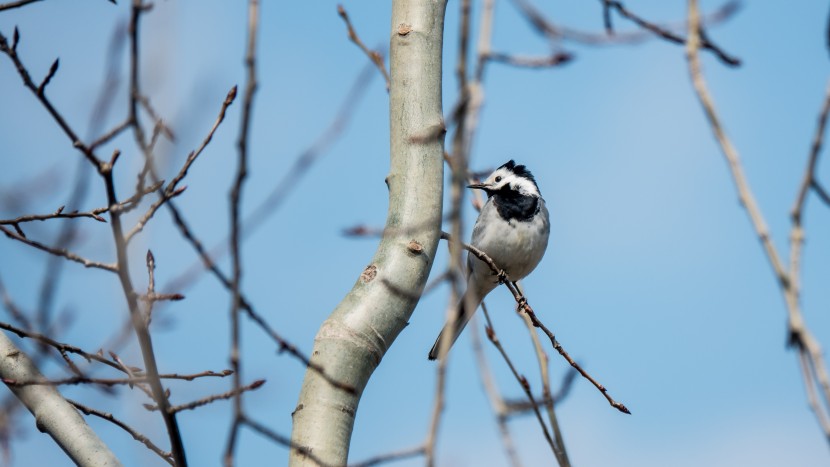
(653, 280)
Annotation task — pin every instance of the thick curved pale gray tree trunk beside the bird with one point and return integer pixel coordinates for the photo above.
(352, 341)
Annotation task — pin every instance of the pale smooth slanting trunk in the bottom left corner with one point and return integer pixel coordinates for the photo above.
(53, 414)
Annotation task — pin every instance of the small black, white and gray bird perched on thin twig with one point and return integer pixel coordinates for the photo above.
(512, 229)
